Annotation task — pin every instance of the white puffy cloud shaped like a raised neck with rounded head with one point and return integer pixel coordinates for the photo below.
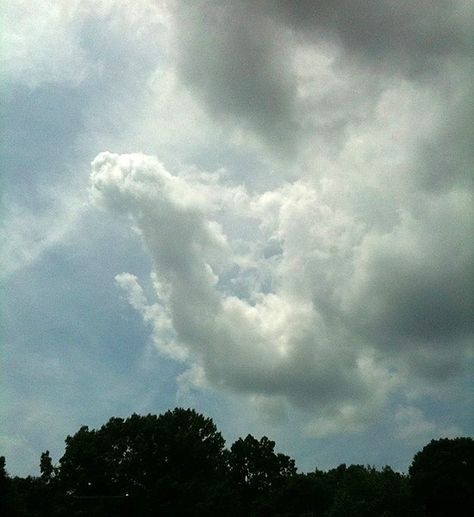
(275, 342)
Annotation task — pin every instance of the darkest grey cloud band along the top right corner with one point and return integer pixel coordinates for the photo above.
(409, 35)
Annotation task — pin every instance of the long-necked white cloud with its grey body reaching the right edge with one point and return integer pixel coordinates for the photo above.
(330, 328)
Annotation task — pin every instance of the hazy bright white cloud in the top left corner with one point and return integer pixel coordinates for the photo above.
(50, 42)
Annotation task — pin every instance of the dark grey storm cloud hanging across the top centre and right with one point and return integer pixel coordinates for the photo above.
(238, 56)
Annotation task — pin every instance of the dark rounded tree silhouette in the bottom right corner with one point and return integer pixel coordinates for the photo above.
(442, 477)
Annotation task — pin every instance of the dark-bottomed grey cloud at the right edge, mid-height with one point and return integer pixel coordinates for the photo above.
(417, 278)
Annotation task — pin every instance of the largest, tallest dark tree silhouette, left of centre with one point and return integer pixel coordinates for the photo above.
(168, 463)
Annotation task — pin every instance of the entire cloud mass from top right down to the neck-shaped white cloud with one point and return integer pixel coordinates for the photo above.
(351, 280)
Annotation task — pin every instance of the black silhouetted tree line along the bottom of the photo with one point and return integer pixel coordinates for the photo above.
(176, 464)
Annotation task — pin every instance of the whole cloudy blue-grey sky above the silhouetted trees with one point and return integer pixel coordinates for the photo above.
(259, 209)
